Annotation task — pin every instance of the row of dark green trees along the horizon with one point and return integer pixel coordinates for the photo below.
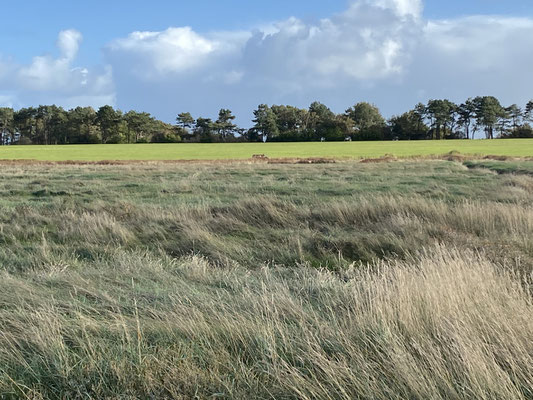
(438, 119)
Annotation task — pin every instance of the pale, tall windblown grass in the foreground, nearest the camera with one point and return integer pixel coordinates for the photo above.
(442, 325)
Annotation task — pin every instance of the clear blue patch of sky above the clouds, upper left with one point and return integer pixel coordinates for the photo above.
(32, 28)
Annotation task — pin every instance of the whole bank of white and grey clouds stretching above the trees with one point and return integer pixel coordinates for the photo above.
(382, 51)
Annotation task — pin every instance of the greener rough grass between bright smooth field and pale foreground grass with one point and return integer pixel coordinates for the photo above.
(247, 213)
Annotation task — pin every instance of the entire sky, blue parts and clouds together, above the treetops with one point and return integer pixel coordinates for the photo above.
(166, 57)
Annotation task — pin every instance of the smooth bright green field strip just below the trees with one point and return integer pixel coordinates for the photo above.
(510, 147)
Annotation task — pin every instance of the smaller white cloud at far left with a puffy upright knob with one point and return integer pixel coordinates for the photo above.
(48, 79)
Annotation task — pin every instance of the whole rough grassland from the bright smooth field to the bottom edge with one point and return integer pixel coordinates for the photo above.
(391, 280)
